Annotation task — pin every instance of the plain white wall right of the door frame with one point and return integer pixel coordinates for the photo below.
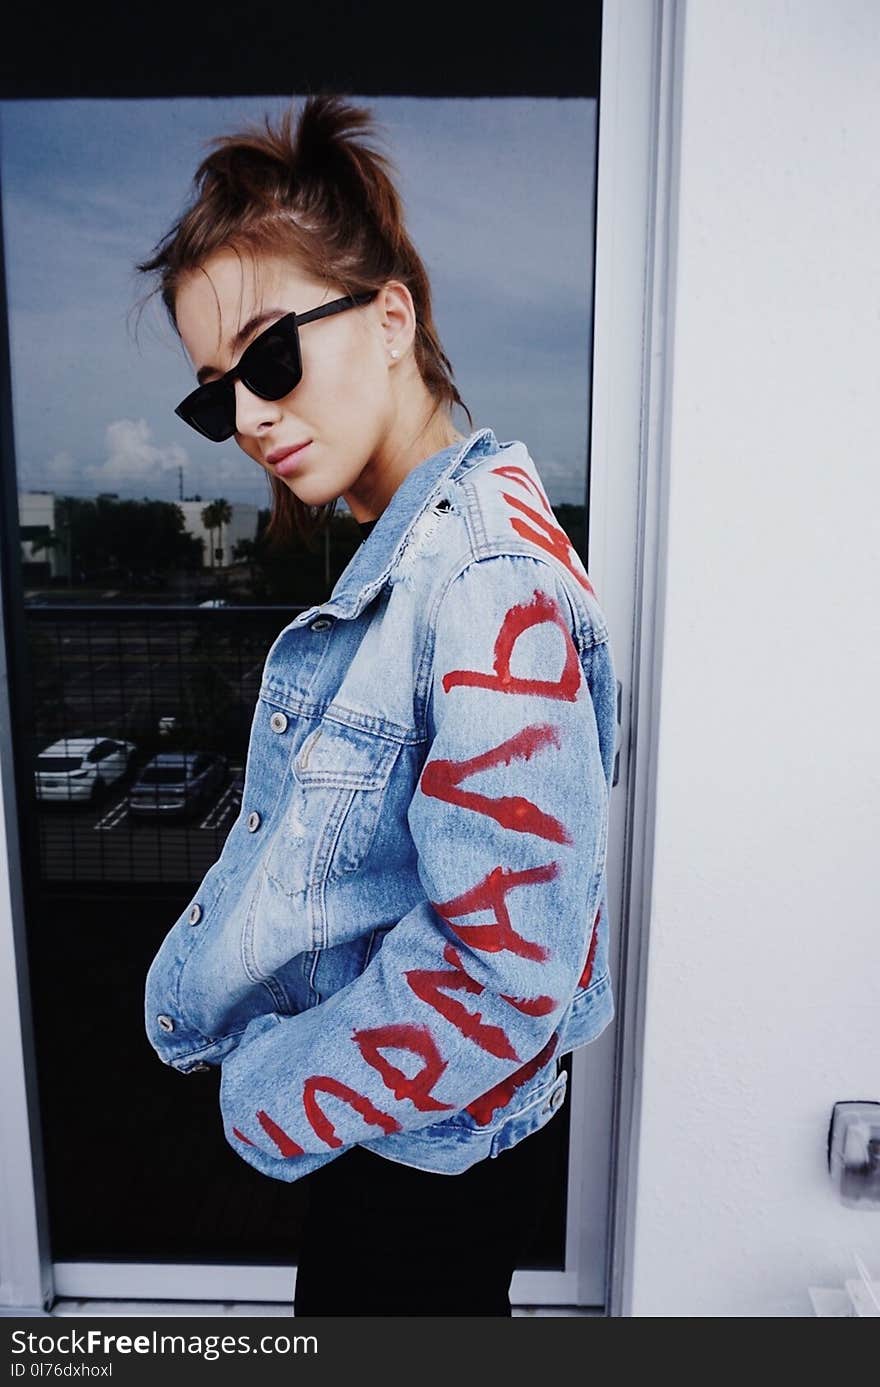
(764, 963)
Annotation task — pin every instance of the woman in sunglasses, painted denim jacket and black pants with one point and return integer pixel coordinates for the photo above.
(406, 929)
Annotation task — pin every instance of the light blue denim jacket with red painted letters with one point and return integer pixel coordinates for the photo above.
(407, 926)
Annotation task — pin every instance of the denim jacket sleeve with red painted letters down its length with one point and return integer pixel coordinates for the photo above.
(463, 1002)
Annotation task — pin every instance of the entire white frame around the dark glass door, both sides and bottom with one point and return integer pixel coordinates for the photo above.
(636, 199)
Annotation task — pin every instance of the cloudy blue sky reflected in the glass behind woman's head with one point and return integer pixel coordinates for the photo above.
(500, 205)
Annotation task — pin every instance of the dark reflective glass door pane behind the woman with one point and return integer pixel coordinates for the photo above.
(151, 601)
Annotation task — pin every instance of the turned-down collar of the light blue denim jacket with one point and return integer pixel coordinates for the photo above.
(371, 565)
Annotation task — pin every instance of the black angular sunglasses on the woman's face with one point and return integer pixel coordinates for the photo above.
(271, 367)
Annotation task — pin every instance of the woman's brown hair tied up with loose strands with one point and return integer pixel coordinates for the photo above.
(324, 198)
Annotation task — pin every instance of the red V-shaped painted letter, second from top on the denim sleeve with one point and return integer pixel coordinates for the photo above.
(441, 780)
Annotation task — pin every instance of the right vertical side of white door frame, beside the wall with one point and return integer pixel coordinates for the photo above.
(636, 239)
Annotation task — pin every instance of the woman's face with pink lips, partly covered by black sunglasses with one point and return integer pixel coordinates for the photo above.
(345, 403)
